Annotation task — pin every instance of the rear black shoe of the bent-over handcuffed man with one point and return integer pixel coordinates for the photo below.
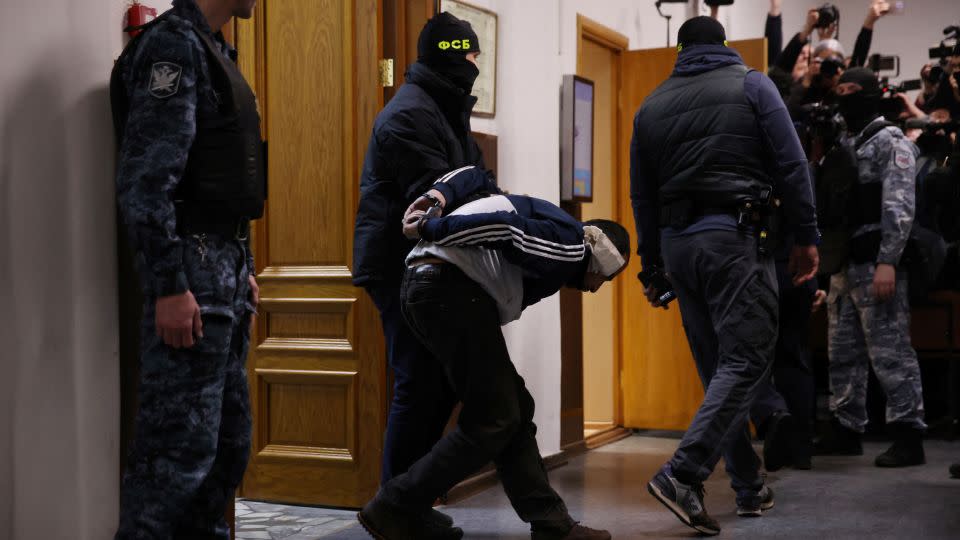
(386, 521)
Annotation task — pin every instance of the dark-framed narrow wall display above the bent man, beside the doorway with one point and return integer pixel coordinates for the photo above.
(576, 139)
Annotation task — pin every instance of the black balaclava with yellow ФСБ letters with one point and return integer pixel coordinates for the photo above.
(443, 46)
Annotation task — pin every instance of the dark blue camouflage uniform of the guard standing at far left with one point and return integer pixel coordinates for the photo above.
(193, 427)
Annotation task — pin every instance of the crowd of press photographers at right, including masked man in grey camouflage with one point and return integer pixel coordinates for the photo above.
(887, 192)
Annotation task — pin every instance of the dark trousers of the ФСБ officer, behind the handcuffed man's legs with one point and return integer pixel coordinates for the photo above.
(422, 398)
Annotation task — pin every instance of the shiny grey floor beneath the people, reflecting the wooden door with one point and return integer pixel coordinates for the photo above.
(841, 498)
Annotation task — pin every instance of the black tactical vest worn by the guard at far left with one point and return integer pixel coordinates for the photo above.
(225, 176)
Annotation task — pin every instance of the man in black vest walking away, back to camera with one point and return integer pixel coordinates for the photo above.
(710, 147)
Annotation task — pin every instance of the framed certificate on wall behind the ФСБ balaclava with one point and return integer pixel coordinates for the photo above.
(484, 23)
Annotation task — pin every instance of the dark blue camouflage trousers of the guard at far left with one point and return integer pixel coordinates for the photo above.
(193, 428)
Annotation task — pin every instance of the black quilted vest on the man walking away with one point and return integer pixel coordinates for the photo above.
(702, 134)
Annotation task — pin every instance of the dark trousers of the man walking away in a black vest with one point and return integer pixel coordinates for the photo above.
(728, 301)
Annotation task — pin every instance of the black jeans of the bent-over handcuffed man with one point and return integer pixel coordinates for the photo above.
(459, 323)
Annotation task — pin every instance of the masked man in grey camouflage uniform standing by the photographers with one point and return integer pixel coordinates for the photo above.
(868, 307)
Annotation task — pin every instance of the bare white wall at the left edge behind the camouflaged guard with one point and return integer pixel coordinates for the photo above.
(59, 391)
